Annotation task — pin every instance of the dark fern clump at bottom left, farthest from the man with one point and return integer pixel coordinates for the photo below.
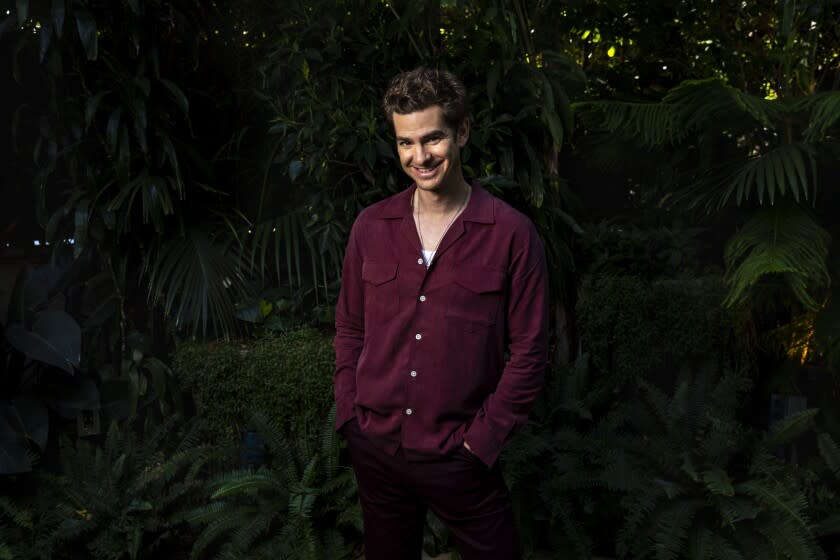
(121, 500)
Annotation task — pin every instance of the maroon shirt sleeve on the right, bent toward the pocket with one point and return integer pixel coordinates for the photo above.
(507, 407)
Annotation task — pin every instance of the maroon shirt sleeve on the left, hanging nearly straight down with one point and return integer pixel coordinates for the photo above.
(349, 330)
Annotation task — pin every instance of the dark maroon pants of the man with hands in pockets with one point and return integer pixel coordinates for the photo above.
(470, 499)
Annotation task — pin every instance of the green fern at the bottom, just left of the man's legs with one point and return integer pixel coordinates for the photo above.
(299, 507)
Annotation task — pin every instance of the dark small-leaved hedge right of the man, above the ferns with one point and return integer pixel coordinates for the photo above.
(634, 327)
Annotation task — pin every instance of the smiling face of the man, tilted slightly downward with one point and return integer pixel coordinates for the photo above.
(429, 149)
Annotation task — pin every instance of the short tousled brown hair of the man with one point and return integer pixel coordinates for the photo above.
(422, 88)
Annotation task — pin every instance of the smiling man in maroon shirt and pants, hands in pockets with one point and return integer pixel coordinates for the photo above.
(440, 338)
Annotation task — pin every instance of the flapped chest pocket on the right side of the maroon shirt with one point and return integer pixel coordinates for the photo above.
(475, 297)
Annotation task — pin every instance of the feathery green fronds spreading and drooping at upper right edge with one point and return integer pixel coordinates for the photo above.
(751, 152)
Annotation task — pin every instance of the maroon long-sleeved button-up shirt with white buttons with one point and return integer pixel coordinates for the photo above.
(421, 353)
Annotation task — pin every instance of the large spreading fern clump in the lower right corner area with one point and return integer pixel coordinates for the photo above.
(698, 484)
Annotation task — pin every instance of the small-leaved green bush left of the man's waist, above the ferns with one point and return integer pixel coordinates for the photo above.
(286, 375)
